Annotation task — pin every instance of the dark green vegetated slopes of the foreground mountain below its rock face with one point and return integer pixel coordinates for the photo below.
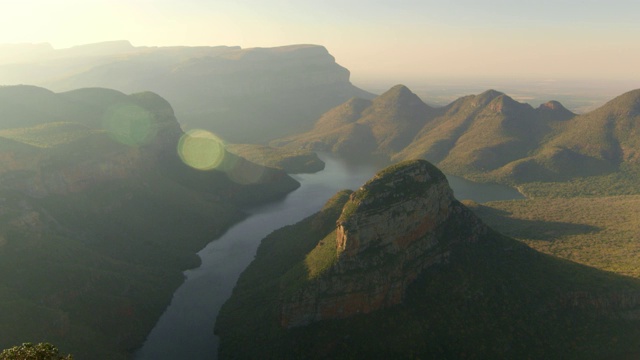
(495, 298)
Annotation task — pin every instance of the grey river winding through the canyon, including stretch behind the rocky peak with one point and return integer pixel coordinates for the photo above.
(185, 330)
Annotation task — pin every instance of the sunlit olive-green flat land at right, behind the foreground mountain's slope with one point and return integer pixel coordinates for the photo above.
(597, 231)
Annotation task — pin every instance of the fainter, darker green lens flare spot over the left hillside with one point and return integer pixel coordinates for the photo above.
(129, 124)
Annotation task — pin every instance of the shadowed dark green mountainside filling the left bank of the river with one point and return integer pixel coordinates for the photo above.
(100, 215)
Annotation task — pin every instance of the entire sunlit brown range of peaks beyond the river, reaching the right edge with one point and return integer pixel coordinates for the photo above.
(488, 137)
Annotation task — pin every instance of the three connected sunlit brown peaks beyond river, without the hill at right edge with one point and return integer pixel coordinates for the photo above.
(473, 134)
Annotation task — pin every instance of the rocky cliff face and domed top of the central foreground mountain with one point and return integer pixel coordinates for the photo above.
(394, 227)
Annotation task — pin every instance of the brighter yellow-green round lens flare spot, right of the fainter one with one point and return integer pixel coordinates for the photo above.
(201, 149)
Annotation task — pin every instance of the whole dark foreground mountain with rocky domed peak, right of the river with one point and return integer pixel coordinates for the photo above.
(400, 269)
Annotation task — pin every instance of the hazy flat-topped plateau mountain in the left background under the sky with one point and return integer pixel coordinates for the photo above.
(243, 95)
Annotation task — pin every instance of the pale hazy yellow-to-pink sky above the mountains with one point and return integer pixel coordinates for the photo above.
(384, 38)
